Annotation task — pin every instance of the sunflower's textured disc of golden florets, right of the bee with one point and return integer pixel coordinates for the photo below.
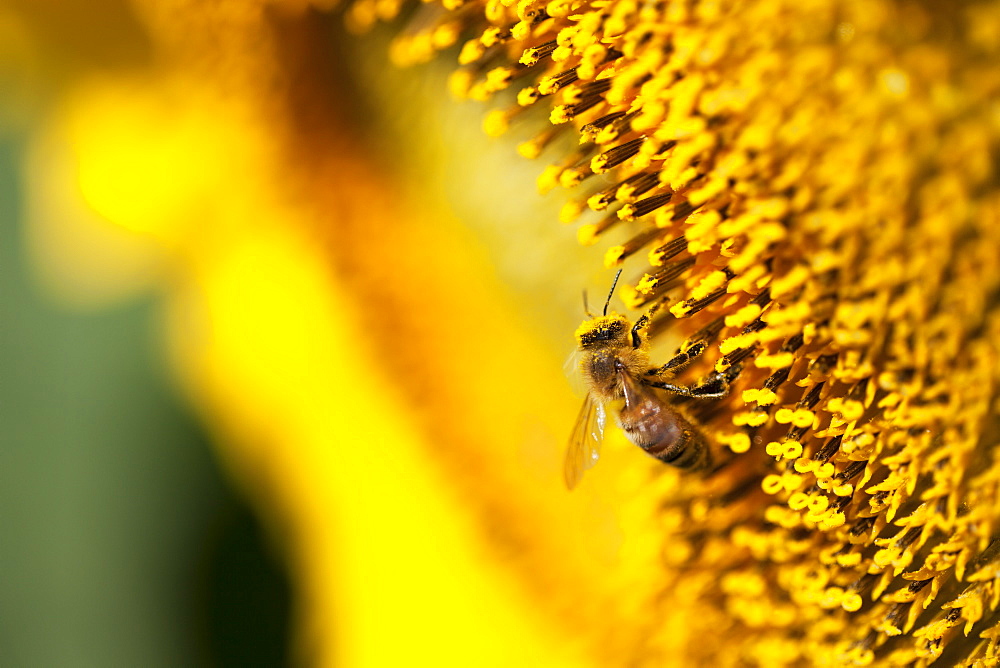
(812, 188)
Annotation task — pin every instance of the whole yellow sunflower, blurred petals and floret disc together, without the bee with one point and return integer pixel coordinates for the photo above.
(804, 192)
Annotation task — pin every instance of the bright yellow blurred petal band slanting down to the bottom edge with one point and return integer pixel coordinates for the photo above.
(391, 568)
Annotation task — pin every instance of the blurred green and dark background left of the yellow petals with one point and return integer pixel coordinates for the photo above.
(120, 542)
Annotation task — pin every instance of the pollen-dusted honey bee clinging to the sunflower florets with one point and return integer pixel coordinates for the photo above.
(619, 376)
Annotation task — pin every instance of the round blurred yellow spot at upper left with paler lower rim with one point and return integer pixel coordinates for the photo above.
(127, 168)
